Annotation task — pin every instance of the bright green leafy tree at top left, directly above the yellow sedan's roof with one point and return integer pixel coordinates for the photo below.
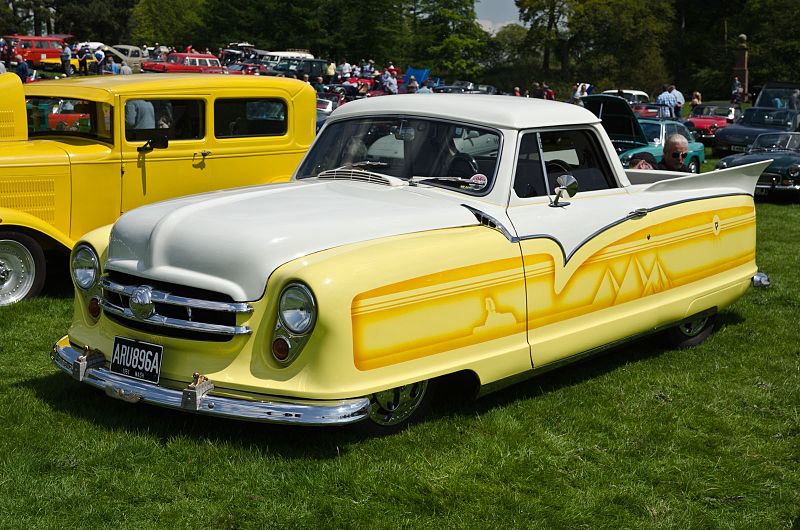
(174, 22)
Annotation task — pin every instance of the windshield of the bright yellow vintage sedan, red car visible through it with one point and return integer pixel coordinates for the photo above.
(70, 117)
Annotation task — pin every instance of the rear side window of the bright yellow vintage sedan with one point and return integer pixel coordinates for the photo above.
(249, 117)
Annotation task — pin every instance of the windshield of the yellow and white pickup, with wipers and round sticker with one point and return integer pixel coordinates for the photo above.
(408, 147)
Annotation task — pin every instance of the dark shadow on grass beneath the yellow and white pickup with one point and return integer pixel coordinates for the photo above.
(67, 396)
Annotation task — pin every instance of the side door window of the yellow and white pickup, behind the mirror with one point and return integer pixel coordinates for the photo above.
(577, 153)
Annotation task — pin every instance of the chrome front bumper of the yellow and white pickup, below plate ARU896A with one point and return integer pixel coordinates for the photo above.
(91, 369)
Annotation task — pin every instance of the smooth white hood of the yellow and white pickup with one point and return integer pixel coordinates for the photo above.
(231, 241)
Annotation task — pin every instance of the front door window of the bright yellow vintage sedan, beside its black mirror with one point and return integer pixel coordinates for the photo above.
(179, 119)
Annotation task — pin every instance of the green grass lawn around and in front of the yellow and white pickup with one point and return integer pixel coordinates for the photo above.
(642, 437)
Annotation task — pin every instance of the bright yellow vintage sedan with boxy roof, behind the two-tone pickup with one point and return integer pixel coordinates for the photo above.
(76, 154)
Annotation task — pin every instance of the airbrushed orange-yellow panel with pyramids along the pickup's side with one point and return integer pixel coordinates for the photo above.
(468, 306)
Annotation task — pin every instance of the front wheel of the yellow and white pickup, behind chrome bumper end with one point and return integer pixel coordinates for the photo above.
(395, 409)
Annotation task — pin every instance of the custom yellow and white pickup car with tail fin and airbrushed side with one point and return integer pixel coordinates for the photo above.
(421, 237)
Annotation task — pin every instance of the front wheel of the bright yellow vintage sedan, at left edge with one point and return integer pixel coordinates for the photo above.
(22, 267)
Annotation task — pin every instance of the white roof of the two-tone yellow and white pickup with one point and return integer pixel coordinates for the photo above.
(507, 112)
